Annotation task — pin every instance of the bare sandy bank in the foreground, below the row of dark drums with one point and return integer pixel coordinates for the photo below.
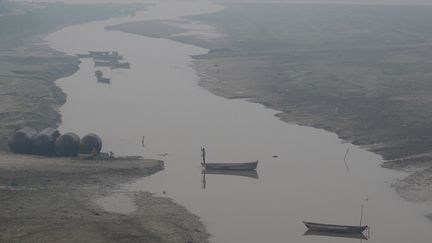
(53, 200)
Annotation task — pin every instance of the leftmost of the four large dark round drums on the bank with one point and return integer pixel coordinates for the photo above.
(21, 141)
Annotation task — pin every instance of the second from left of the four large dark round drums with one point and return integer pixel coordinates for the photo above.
(44, 141)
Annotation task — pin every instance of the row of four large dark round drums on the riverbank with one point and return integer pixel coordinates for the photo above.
(49, 142)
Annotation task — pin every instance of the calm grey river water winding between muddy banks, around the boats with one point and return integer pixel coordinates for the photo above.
(158, 98)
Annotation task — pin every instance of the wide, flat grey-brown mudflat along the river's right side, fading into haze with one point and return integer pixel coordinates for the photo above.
(360, 93)
